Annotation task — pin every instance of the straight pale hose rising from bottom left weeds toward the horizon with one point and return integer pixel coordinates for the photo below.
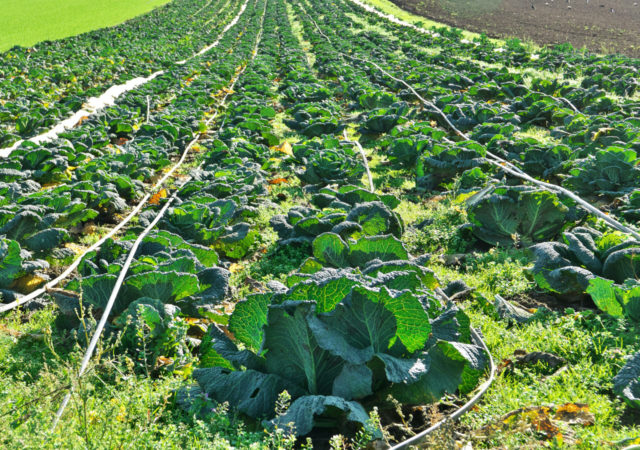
(125, 268)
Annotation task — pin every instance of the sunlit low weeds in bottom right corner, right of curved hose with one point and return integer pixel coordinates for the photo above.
(593, 348)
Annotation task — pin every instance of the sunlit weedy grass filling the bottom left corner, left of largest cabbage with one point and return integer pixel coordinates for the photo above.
(114, 406)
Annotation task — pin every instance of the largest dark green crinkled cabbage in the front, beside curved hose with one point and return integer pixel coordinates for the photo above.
(332, 340)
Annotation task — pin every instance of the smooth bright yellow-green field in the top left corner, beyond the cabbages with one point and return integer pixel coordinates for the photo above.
(27, 22)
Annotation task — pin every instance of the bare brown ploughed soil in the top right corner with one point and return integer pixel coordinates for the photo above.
(606, 26)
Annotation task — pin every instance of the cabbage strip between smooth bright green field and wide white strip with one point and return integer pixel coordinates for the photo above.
(42, 85)
